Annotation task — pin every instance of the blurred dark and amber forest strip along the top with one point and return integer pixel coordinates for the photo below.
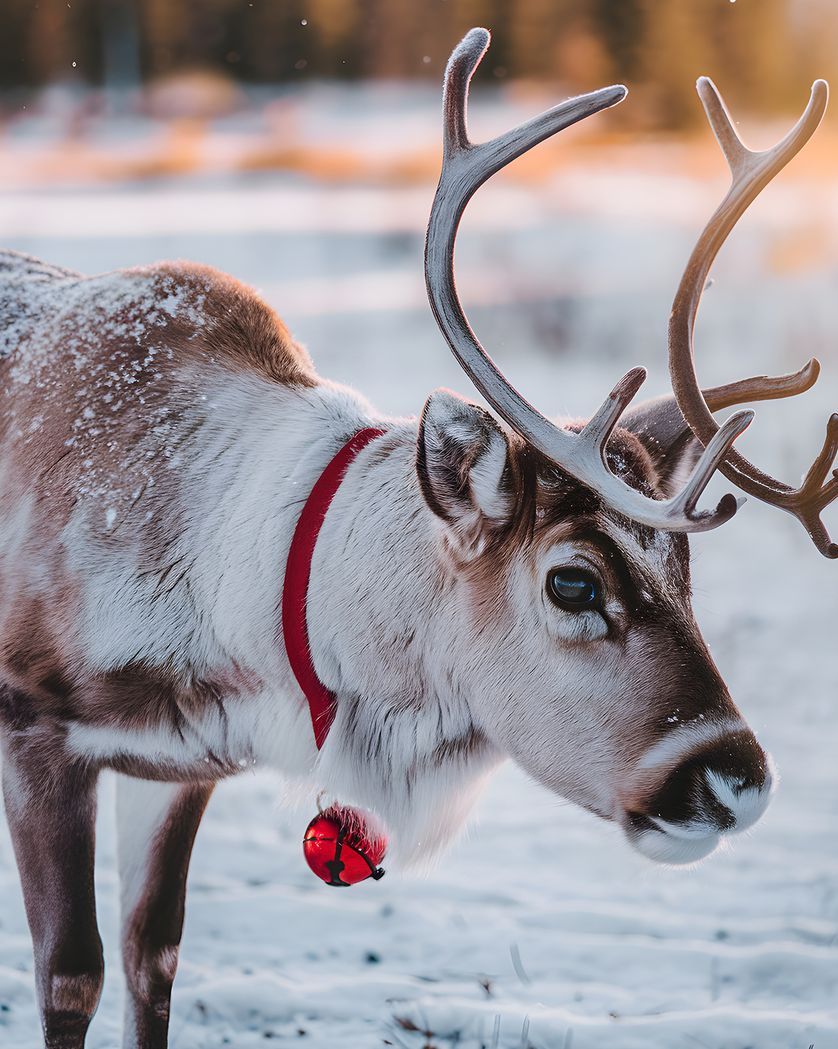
(764, 52)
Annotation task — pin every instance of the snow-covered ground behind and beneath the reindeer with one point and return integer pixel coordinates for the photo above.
(541, 929)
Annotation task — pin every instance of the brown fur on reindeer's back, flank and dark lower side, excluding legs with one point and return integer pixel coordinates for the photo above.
(97, 380)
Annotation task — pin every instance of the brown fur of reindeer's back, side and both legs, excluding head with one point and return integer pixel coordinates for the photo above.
(100, 379)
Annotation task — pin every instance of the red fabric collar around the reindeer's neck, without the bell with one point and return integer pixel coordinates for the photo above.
(323, 703)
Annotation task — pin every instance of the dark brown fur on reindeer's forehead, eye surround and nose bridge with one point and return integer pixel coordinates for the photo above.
(551, 508)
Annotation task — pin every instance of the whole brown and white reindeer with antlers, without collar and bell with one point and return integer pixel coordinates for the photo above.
(480, 590)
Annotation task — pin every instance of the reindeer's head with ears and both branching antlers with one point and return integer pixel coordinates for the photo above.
(568, 612)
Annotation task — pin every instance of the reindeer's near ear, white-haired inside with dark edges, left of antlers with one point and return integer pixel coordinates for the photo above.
(463, 468)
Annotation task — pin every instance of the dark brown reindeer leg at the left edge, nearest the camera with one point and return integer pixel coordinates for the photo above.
(51, 806)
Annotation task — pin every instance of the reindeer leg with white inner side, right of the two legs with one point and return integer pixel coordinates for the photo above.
(157, 827)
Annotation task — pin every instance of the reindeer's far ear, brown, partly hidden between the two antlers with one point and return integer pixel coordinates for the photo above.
(671, 443)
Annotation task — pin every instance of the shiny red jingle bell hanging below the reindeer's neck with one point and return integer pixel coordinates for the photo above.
(341, 849)
